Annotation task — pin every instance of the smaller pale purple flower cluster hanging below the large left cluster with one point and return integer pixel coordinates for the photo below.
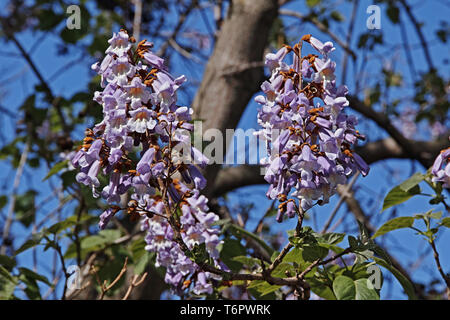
(197, 229)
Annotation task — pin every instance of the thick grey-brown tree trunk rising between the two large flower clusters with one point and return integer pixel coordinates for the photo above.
(234, 71)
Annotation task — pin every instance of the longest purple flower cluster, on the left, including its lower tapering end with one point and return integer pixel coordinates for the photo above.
(141, 117)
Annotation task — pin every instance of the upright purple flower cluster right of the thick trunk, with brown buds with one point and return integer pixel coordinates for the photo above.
(309, 137)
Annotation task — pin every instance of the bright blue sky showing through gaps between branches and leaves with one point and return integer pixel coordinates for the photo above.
(17, 82)
